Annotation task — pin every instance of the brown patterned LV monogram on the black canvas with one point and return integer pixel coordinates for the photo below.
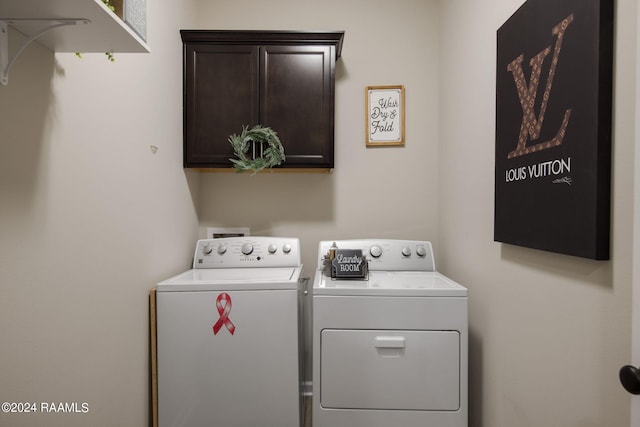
(532, 124)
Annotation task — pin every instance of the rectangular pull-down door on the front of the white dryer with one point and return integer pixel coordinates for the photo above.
(394, 370)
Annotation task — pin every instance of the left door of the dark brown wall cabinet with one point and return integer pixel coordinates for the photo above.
(220, 96)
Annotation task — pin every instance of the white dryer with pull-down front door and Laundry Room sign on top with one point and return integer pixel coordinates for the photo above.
(389, 348)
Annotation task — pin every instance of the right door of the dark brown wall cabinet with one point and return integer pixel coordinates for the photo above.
(296, 100)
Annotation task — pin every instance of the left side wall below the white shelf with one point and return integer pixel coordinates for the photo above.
(90, 220)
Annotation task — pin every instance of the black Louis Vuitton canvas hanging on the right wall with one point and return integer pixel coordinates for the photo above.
(553, 127)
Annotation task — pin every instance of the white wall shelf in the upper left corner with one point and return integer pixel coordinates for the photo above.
(104, 32)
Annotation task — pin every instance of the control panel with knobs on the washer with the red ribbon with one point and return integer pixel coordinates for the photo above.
(246, 252)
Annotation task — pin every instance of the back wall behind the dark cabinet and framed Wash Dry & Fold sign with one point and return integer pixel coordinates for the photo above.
(388, 192)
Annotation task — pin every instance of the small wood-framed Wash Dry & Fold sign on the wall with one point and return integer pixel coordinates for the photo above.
(385, 115)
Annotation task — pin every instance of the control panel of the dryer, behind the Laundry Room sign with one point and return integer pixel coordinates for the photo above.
(385, 254)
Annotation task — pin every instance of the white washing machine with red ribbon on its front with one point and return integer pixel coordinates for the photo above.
(227, 336)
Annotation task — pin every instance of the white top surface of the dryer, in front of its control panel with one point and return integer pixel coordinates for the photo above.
(391, 283)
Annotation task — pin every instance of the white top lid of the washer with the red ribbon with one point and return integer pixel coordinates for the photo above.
(233, 279)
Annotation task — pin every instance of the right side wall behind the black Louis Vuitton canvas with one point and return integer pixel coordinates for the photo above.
(548, 332)
